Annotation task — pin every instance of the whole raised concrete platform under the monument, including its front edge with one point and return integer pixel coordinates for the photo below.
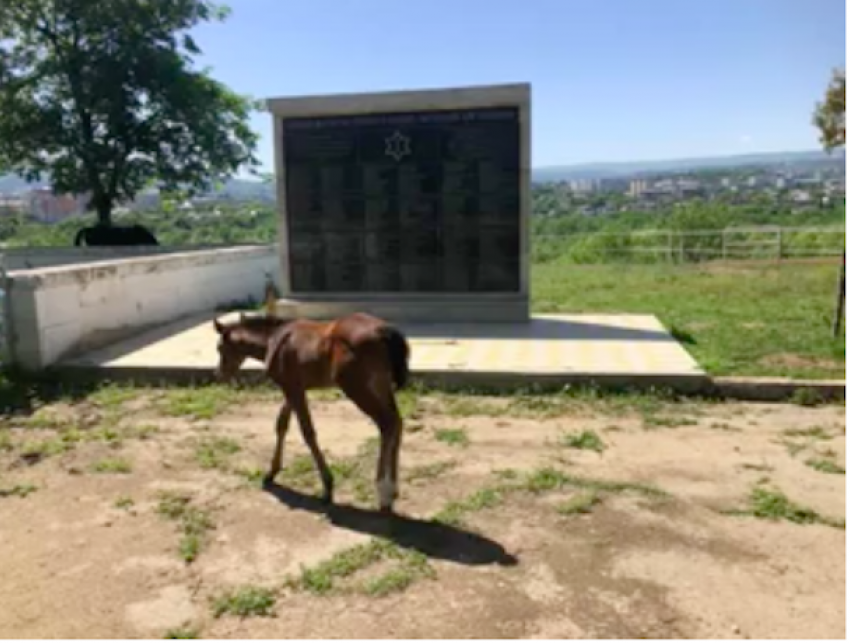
(621, 350)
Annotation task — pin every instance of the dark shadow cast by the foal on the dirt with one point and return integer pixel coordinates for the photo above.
(433, 539)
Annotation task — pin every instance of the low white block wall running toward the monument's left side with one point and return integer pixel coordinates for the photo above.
(56, 312)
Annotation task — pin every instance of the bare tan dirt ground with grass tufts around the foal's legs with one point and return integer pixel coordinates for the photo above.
(123, 516)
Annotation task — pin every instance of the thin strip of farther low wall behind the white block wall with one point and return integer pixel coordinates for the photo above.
(27, 258)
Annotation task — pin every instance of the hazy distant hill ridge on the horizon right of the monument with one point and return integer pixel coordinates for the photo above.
(614, 170)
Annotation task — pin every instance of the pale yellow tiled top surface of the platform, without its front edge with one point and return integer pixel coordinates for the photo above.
(548, 344)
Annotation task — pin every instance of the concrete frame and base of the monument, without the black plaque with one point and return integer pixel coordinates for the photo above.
(407, 306)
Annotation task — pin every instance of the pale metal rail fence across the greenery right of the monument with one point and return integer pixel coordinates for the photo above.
(691, 246)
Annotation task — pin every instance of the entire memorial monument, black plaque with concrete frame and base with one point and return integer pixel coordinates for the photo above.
(411, 205)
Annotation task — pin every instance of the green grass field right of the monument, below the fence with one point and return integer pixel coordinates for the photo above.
(769, 319)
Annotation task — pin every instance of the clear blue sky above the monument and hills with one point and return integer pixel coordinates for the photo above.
(612, 80)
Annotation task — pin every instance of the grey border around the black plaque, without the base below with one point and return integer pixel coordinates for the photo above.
(482, 96)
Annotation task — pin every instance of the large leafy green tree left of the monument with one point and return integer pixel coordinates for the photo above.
(103, 97)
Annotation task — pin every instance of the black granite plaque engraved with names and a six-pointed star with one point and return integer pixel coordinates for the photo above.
(404, 202)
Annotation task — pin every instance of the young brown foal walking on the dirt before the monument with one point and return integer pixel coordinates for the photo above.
(362, 355)
